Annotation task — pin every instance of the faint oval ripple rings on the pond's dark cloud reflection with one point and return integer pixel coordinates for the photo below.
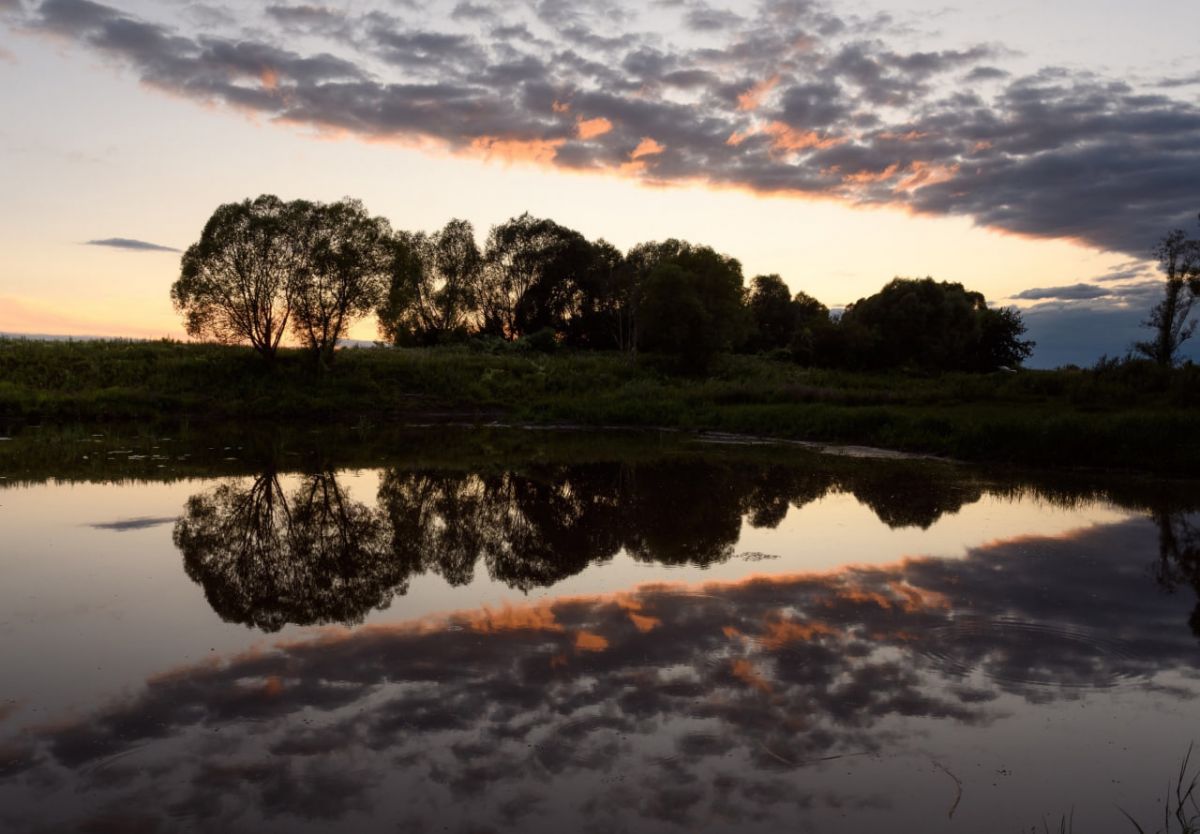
(1030, 653)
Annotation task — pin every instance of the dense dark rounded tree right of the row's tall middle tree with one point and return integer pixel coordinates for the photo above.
(692, 302)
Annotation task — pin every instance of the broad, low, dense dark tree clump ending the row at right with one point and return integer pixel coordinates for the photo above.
(931, 326)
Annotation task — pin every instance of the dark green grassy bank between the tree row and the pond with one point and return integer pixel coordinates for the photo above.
(1114, 418)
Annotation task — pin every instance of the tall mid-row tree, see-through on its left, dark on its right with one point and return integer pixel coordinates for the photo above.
(531, 279)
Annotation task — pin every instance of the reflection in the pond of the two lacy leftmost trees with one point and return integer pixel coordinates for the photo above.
(267, 559)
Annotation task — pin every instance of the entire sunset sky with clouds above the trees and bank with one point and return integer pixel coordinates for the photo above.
(1033, 152)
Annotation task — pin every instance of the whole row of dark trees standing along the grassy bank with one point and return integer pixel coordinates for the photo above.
(265, 268)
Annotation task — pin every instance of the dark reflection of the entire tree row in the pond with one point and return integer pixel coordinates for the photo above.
(268, 560)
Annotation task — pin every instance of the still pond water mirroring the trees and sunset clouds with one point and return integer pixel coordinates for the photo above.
(544, 632)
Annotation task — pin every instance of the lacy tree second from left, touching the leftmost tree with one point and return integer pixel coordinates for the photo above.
(344, 274)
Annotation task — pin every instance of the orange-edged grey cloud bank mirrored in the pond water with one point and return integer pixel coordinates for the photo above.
(692, 704)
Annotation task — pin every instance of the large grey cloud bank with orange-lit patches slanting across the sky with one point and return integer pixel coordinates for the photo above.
(1055, 154)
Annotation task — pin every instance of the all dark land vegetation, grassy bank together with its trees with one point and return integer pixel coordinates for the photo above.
(543, 326)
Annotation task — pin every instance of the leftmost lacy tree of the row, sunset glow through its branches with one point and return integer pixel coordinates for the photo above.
(237, 284)
